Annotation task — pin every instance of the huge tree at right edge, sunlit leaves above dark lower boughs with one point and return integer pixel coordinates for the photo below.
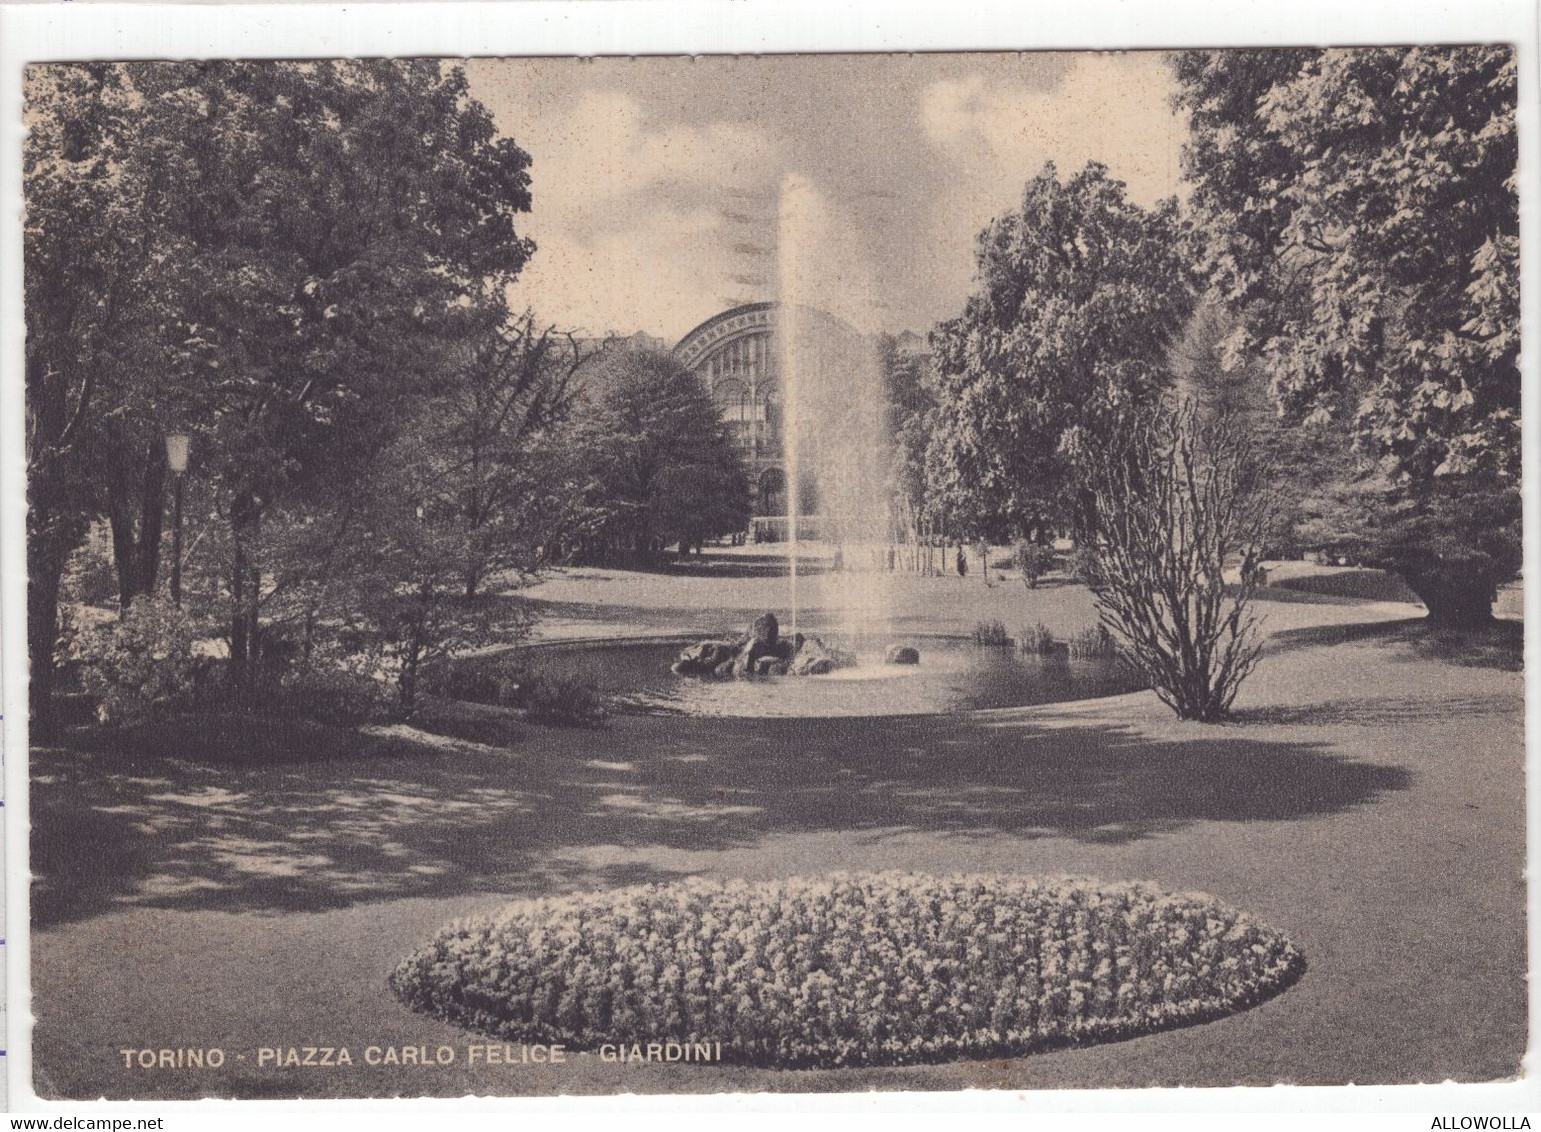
(1361, 218)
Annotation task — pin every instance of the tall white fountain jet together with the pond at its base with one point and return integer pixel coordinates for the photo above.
(836, 452)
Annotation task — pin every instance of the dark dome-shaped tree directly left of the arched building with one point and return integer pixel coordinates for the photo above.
(663, 466)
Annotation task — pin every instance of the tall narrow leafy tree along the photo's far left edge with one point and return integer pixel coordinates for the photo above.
(99, 295)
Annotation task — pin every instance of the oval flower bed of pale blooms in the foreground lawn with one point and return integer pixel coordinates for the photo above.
(851, 970)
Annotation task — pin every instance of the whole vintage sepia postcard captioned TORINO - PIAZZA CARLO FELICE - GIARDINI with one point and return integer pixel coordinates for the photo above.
(781, 574)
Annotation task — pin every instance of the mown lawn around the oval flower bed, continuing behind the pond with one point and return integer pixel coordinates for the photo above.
(1368, 803)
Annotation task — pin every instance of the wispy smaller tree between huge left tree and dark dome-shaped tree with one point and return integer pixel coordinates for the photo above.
(478, 486)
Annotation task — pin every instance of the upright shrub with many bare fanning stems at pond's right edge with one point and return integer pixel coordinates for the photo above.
(1180, 500)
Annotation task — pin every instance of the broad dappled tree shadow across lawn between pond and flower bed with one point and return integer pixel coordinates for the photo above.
(400, 814)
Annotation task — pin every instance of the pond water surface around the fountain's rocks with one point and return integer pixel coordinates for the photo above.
(955, 675)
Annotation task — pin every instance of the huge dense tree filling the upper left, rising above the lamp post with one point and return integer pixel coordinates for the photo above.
(321, 235)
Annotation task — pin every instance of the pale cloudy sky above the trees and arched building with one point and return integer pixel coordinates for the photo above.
(670, 189)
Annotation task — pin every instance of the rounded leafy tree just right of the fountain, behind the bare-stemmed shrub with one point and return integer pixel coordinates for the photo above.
(1079, 293)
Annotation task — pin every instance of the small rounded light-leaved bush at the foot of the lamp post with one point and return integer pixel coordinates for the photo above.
(138, 666)
